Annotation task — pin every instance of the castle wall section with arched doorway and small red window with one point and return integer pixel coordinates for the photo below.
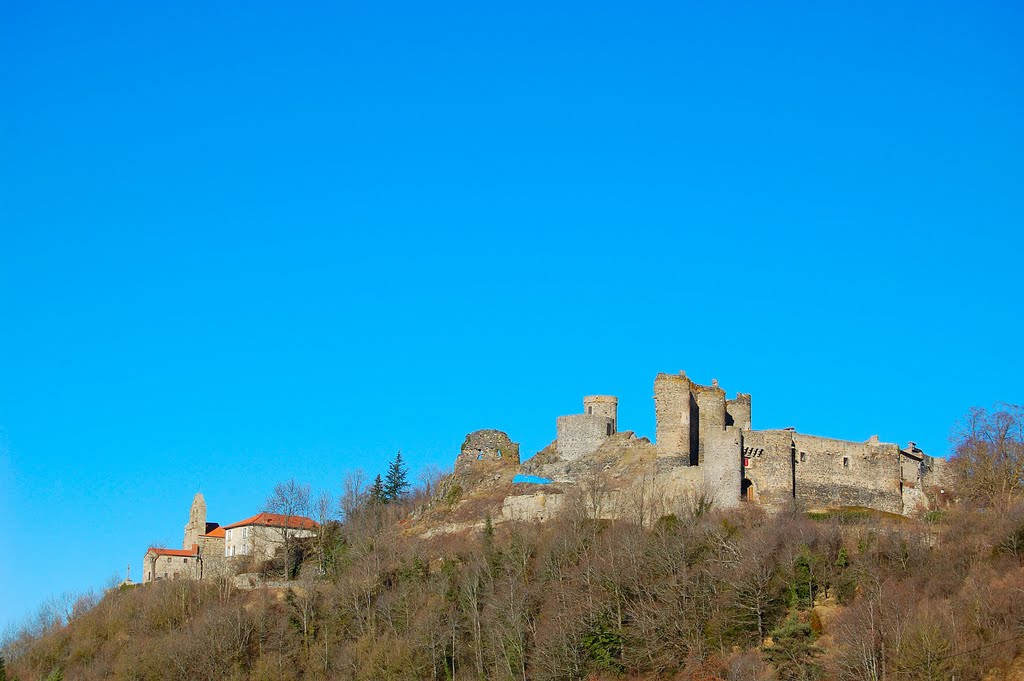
(769, 469)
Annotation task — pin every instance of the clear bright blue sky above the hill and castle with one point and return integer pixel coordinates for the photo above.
(241, 242)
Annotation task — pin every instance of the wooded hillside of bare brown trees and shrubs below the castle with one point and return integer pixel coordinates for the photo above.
(700, 594)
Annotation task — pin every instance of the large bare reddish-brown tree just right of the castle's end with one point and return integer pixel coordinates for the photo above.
(989, 455)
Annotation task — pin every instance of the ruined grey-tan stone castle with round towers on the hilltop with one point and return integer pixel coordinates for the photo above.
(706, 443)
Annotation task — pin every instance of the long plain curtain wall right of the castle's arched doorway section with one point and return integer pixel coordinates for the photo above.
(833, 473)
